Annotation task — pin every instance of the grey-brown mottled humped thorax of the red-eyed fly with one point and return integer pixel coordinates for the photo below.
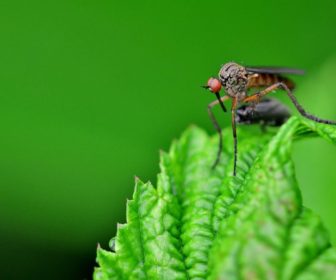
(233, 78)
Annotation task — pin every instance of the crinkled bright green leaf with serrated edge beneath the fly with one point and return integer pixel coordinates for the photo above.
(201, 223)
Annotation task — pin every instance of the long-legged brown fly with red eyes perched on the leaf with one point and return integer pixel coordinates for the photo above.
(237, 81)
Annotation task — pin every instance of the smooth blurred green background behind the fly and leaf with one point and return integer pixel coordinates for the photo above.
(91, 90)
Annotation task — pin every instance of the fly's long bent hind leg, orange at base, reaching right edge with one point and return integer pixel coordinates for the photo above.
(256, 97)
